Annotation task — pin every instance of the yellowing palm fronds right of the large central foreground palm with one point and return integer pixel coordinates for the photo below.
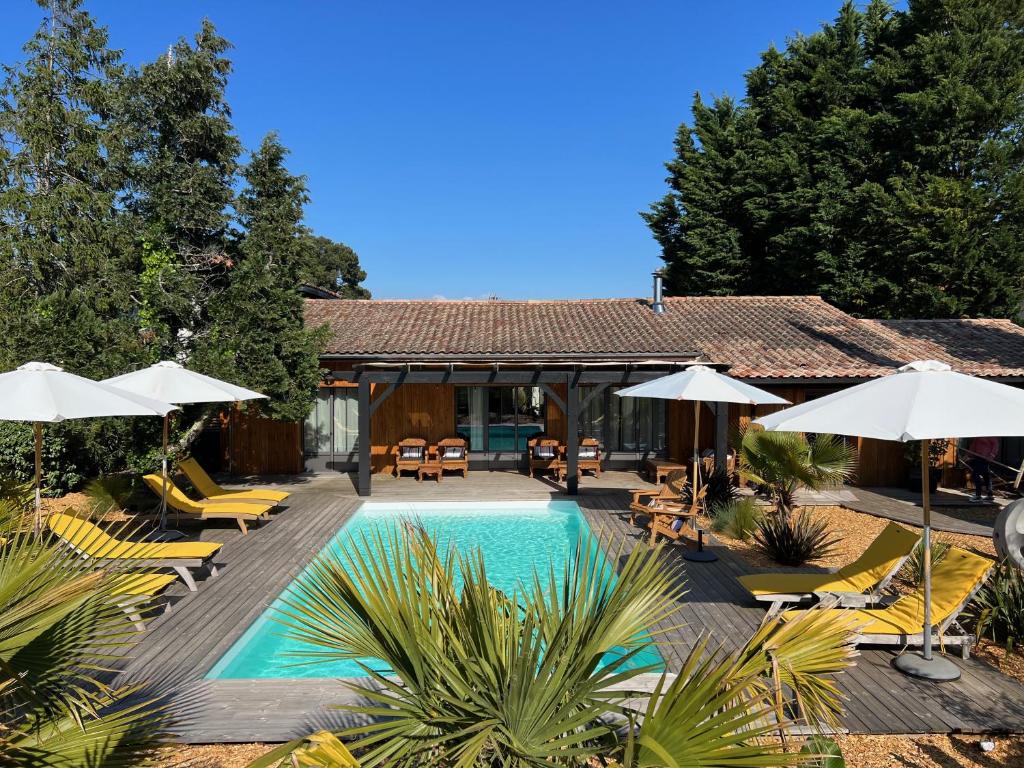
(723, 709)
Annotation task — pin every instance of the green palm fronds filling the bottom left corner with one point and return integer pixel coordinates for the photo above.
(60, 623)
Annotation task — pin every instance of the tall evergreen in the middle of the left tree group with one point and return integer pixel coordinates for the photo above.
(183, 176)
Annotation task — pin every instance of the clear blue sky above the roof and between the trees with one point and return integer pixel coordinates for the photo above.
(468, 149)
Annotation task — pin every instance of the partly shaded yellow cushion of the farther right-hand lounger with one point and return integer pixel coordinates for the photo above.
(892, 545)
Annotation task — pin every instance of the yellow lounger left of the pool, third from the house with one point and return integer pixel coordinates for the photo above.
(93, 542)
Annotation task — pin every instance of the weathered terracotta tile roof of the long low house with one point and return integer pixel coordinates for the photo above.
(766, 337)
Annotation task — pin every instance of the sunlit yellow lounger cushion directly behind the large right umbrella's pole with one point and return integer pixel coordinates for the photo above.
(953, 581)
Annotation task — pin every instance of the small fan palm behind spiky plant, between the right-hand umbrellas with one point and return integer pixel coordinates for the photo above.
(781, 463)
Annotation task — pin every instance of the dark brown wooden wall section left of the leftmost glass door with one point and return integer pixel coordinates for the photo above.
(261, 446)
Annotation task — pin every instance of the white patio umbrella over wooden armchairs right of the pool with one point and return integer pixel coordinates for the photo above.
(702, 385)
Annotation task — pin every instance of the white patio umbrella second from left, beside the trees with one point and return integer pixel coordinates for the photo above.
(169, 381)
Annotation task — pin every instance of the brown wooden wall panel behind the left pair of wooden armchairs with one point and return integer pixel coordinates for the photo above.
(425, 411)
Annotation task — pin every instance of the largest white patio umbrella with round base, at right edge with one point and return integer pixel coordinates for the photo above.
(922, 401)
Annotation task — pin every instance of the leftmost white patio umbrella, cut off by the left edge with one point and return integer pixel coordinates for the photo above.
(40, 393)
